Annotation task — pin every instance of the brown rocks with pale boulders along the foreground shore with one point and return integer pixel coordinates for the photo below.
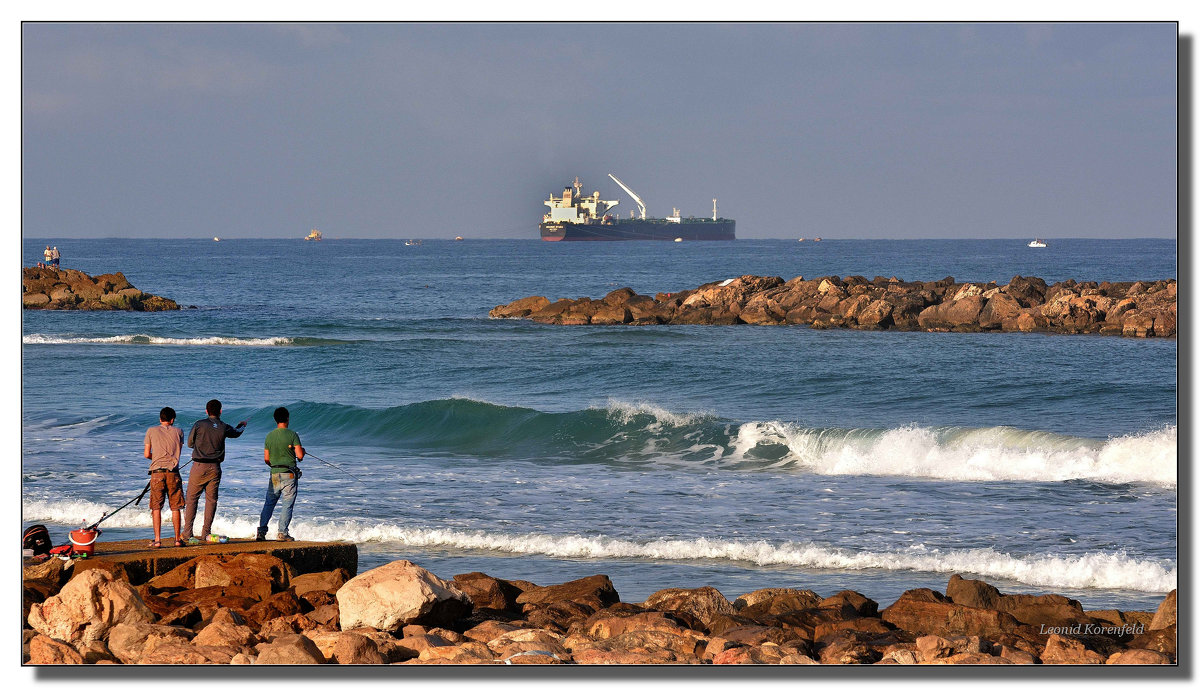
(251, 609)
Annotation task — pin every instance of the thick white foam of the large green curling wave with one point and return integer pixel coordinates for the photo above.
(967, 454)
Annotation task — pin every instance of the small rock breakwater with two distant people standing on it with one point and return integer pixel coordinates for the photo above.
(52, 289)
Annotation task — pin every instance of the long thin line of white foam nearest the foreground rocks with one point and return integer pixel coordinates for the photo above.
(1090, 571)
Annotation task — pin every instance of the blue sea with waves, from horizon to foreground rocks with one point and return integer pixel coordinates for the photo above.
(664, 457)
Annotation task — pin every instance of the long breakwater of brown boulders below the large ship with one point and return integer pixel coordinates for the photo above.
(1024, 304)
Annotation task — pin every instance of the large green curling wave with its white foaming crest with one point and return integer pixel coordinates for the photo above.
(645, 436)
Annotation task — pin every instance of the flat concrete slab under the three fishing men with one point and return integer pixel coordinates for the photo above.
(142, 564)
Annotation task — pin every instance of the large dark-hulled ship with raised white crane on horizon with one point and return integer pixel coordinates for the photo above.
(578, 218)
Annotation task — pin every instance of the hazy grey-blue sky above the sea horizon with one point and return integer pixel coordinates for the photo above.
(436, 130)
